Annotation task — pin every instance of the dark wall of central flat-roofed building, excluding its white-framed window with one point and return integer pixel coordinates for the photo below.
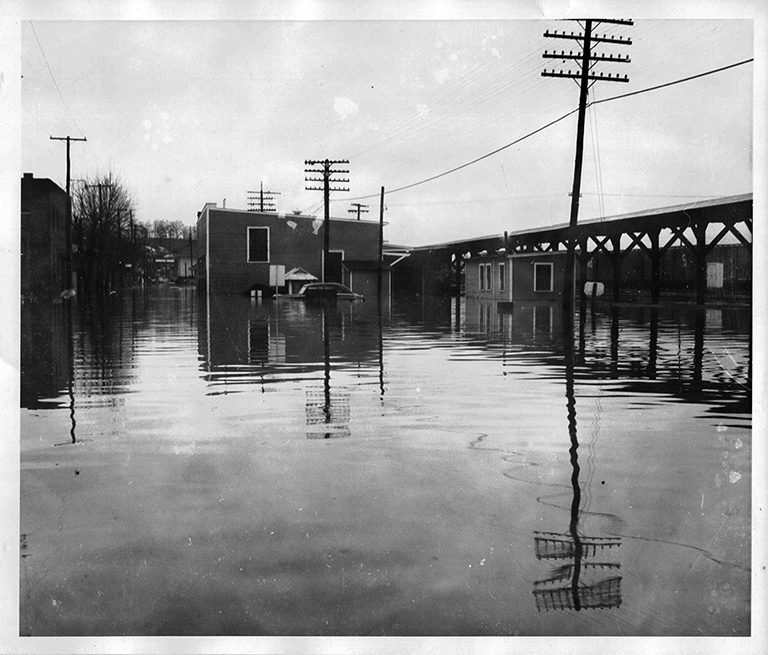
(293, 241)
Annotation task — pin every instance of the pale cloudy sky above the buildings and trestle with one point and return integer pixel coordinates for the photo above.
(194, 111)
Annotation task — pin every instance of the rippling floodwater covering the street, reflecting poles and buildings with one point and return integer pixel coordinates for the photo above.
(215, 466)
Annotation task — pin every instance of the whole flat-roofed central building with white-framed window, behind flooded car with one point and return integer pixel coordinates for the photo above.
(237, 250)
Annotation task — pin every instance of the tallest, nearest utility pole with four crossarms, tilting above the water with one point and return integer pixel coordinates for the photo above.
(586, 76)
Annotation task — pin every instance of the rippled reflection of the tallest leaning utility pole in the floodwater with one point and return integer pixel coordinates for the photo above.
(565, 588)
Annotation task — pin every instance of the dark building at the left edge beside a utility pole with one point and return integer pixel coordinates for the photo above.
(43, 238)
